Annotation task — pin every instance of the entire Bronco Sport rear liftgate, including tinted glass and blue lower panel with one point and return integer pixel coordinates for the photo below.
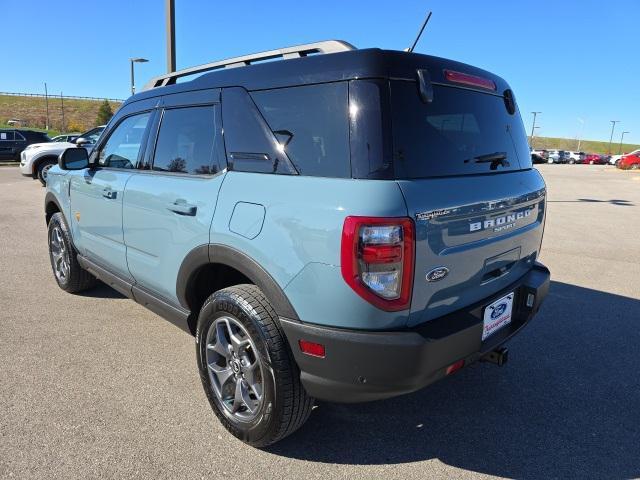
(463, 164)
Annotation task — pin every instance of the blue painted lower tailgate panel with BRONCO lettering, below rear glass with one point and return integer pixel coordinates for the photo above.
(487, 237)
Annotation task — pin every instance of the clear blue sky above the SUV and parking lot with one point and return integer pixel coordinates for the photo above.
(573, 60)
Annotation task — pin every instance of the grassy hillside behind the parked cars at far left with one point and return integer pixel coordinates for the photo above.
(79, 114)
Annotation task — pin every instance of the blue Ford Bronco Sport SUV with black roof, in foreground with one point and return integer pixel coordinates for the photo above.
(344, 225)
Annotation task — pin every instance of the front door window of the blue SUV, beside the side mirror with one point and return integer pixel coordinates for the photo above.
(123, 145)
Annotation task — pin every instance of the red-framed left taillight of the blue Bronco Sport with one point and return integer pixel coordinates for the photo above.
(377, 259)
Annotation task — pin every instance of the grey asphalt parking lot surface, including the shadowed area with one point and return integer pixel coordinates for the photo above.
(94, 385)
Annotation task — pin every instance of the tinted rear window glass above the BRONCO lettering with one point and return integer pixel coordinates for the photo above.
(461, 132)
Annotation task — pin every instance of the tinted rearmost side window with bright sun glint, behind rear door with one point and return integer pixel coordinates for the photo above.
(311, 124)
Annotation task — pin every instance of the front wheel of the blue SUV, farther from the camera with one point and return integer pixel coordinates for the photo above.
(69, 275)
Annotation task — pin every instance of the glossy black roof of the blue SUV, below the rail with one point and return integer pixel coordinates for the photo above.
(350, 65)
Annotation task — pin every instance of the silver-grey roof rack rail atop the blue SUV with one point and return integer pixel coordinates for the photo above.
(327, 46)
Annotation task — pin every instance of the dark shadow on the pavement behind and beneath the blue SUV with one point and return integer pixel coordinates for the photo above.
(566, 405)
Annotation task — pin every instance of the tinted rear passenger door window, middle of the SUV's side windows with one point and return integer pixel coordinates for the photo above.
(186, 141)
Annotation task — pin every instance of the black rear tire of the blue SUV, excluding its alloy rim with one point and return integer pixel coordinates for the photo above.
(286, 405)
